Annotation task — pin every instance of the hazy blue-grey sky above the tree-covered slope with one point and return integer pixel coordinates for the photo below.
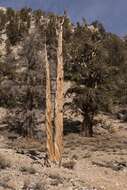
(111, 13)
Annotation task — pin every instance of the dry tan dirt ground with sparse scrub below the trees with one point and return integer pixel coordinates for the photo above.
(98, 163)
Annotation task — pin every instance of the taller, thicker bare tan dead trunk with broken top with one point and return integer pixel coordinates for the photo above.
(59, 95)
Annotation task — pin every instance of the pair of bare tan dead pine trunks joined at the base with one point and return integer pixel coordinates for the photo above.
(54, 100)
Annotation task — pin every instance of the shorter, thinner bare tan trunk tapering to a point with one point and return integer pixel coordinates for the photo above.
(49, 129)
